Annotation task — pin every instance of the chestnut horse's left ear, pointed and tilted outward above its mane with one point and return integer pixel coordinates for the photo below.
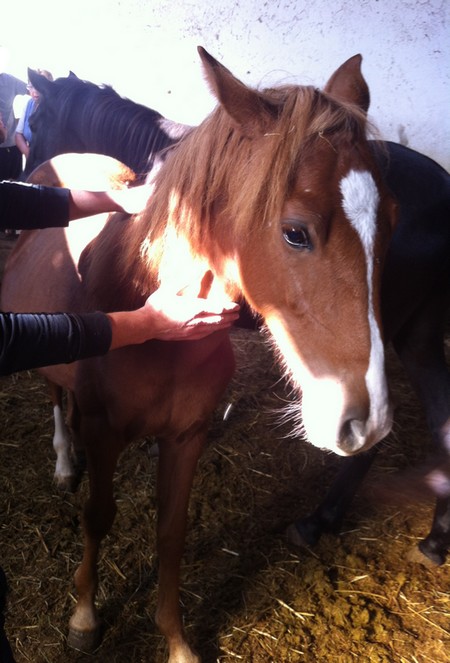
(250, 111)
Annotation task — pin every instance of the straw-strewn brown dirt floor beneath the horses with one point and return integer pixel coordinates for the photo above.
(248, 595)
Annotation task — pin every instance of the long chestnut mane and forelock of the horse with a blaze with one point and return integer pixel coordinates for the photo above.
(248, 177)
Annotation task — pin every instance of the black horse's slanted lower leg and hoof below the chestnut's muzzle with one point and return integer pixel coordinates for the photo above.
(329, 514)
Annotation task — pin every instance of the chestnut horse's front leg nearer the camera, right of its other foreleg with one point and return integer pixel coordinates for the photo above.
(177, 464)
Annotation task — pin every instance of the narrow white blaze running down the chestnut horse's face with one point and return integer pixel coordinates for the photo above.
(360, 201)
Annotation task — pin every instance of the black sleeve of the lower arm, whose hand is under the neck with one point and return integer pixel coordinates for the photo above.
(30, 340)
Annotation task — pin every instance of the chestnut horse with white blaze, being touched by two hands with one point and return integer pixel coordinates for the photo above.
(276, 198)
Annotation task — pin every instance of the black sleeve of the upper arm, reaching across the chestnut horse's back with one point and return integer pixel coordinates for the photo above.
(28, 206)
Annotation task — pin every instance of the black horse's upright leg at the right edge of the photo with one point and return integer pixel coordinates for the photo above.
(420, 347)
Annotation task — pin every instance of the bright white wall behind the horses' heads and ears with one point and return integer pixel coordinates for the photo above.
(147, 50)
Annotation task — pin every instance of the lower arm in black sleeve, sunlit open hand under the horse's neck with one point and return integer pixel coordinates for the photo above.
(31, 340)
